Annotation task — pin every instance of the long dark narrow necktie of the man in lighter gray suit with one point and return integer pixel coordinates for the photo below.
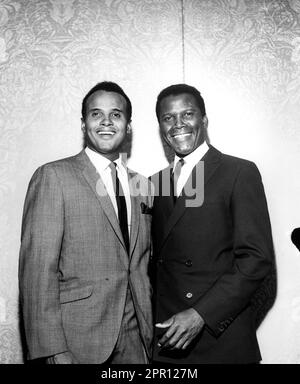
(121, 204)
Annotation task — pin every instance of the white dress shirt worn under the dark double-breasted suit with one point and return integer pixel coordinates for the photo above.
(189, 163)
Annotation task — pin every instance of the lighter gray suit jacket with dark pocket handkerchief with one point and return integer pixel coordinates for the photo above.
(74, 269)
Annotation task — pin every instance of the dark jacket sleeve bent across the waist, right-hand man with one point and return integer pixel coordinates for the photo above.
(253, 253)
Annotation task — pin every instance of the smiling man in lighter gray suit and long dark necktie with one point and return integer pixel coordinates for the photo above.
(83, 272)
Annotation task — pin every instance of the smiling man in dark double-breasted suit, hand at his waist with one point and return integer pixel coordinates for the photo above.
(212, 242)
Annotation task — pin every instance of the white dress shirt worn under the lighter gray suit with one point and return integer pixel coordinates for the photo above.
(101, 163)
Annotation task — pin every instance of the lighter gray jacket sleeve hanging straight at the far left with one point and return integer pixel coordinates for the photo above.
(41, 242)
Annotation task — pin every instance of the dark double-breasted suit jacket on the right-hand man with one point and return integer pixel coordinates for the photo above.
(213, 258)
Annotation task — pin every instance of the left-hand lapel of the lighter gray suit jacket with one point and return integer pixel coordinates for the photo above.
(96, 184)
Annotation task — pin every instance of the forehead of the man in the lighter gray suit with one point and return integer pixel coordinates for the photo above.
(106, 100)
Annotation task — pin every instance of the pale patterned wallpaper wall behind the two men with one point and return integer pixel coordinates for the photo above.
(244, 55)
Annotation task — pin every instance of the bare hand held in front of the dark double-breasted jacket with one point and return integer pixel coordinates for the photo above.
(183, 328)
